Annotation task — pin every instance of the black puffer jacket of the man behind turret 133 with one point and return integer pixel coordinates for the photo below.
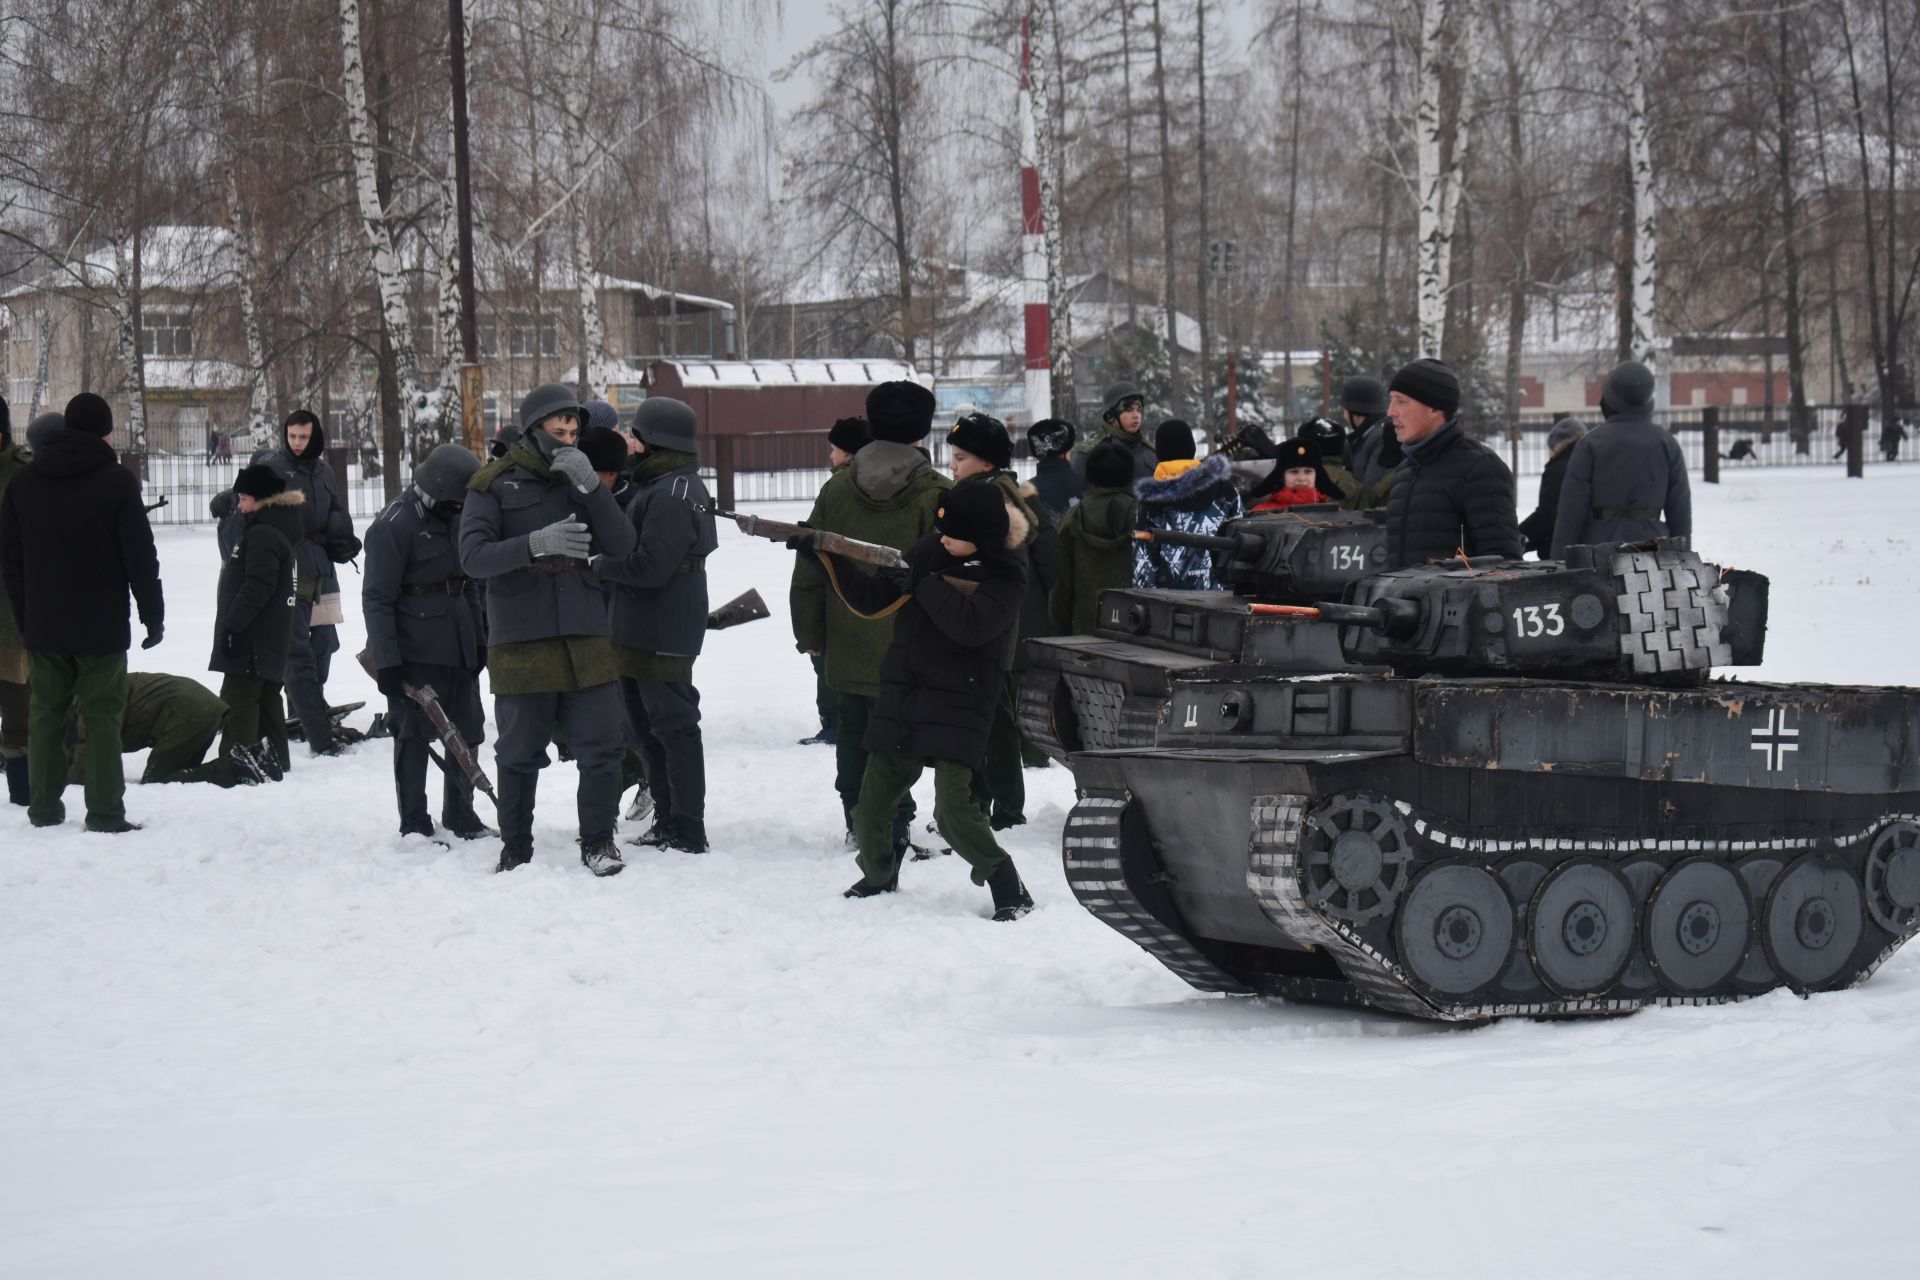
(1456, 496)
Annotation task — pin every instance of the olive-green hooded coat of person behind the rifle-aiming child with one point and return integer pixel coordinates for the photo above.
(886, 496)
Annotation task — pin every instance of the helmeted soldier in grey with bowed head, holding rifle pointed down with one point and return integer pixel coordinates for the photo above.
(423, 628)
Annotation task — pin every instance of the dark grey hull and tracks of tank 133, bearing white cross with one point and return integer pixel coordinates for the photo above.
(1495, 847)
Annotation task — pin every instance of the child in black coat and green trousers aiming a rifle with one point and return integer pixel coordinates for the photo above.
(940, 680)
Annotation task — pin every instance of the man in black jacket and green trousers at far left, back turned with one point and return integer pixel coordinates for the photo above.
(74, 542)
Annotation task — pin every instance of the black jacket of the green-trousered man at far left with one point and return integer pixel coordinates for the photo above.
(74, 542)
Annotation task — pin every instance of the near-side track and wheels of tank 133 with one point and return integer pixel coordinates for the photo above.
(1800, 895)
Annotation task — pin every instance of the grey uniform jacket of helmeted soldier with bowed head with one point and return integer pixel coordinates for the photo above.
(421, 607)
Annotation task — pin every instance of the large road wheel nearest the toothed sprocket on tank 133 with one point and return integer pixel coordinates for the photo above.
(1456, 930)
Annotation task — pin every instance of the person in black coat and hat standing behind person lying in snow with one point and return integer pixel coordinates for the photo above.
(254, 615)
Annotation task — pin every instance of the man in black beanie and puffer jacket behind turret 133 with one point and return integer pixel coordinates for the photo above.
(1456, 496)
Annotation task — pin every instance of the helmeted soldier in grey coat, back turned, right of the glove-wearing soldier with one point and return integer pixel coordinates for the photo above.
(660, 619)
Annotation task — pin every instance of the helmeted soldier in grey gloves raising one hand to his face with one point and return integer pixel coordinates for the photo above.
(535, 521)
